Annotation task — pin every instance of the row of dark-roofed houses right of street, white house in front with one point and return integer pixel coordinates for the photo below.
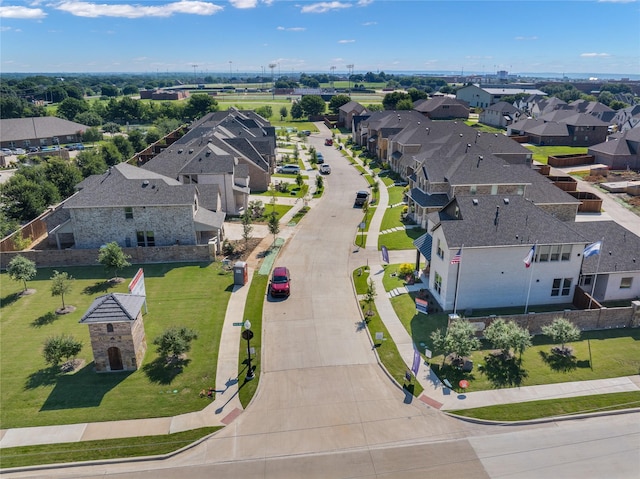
(479, 194)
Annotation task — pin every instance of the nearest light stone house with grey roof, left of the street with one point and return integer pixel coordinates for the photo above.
(136, 207)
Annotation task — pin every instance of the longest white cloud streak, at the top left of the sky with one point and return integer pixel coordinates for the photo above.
(94, 10)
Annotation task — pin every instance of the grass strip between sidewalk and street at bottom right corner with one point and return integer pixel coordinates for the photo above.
(554, 407)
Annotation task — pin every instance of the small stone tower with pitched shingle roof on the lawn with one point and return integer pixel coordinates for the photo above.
(117, 332)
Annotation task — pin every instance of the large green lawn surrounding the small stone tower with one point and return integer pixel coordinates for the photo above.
(33, 394)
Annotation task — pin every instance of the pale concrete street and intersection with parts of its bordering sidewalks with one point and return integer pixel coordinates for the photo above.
(325, 408)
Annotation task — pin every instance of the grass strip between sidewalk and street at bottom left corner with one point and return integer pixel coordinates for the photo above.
(100, 449)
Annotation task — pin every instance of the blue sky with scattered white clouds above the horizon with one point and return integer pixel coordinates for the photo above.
(240, 36)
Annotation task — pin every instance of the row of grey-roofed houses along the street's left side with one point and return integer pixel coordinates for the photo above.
(180, 197)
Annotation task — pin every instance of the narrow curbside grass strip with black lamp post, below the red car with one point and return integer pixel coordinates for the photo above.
(252, 312)
